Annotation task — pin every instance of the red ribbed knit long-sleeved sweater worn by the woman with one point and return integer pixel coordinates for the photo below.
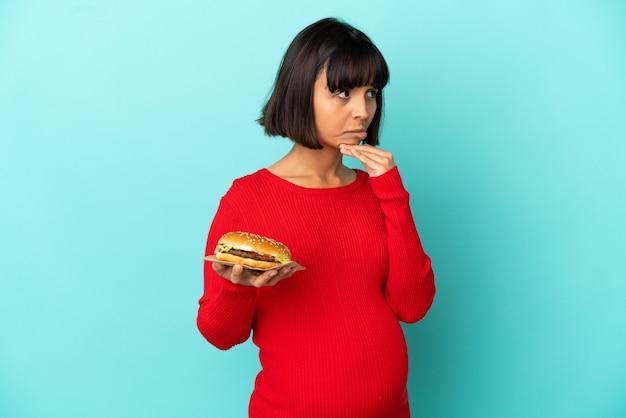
(330, 342)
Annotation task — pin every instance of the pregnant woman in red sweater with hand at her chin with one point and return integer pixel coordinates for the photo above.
(330, 342)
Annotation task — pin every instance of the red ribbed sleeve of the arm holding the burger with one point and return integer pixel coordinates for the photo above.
(226, 309)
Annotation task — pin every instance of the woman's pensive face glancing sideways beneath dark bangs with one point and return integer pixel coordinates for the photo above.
(342, 117)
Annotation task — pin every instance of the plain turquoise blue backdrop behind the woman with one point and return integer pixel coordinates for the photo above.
(123, 122)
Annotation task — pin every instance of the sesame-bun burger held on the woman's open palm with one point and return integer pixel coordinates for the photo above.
(251, 250)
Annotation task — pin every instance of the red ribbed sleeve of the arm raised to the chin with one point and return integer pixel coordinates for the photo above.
(410, 287)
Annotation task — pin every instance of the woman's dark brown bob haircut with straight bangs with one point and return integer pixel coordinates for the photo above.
(350, 59)
